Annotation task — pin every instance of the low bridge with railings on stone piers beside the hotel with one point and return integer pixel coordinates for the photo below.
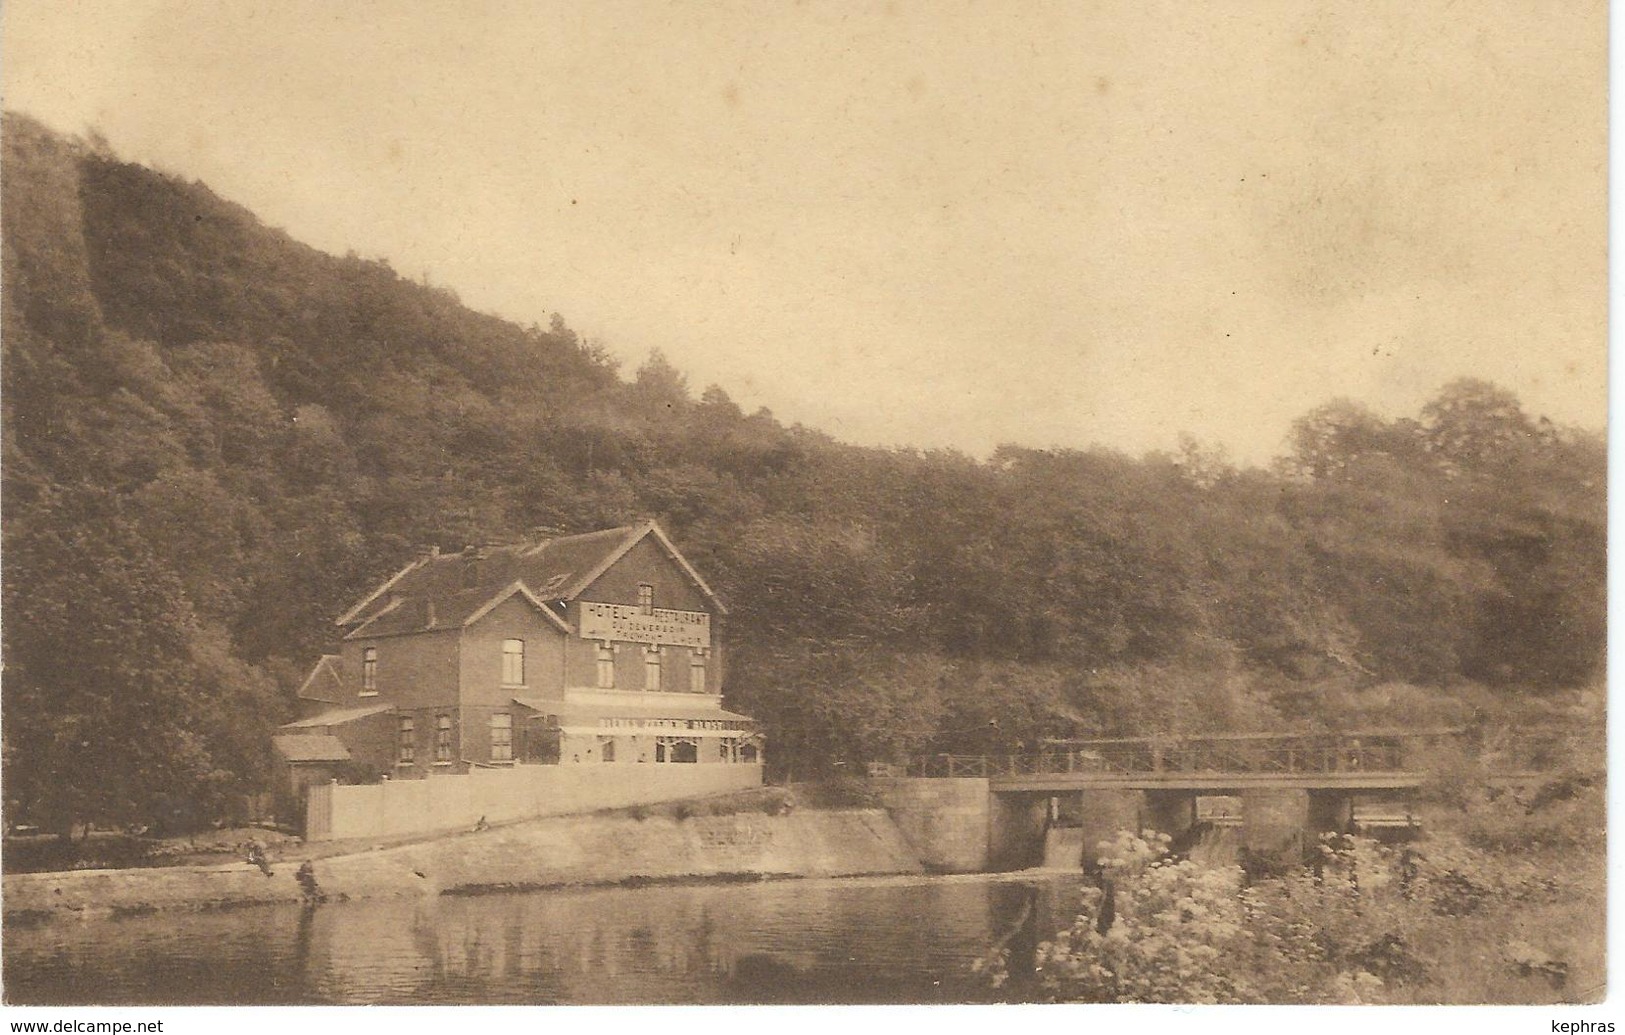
(1000, 812)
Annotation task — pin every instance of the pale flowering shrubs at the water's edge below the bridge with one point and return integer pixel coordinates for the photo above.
(1159, 930)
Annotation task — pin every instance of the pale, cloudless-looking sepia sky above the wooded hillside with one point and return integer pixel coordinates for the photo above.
(924, 223)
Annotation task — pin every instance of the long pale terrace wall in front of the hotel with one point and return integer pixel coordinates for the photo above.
(503, 795)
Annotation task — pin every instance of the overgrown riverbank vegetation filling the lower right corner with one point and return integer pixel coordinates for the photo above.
(1502, 901)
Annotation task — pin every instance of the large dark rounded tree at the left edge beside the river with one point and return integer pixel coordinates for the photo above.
(106, 709)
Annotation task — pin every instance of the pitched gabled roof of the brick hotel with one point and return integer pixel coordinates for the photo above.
(454, 591)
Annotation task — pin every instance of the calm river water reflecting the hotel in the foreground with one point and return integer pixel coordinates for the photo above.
(823, 942)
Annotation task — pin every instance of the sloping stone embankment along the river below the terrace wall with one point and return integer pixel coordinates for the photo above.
(578, 851)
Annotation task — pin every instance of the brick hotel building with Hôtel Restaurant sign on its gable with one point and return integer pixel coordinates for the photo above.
(480, 660)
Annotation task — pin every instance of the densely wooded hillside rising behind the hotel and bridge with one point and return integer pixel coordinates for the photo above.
(217, 438)
